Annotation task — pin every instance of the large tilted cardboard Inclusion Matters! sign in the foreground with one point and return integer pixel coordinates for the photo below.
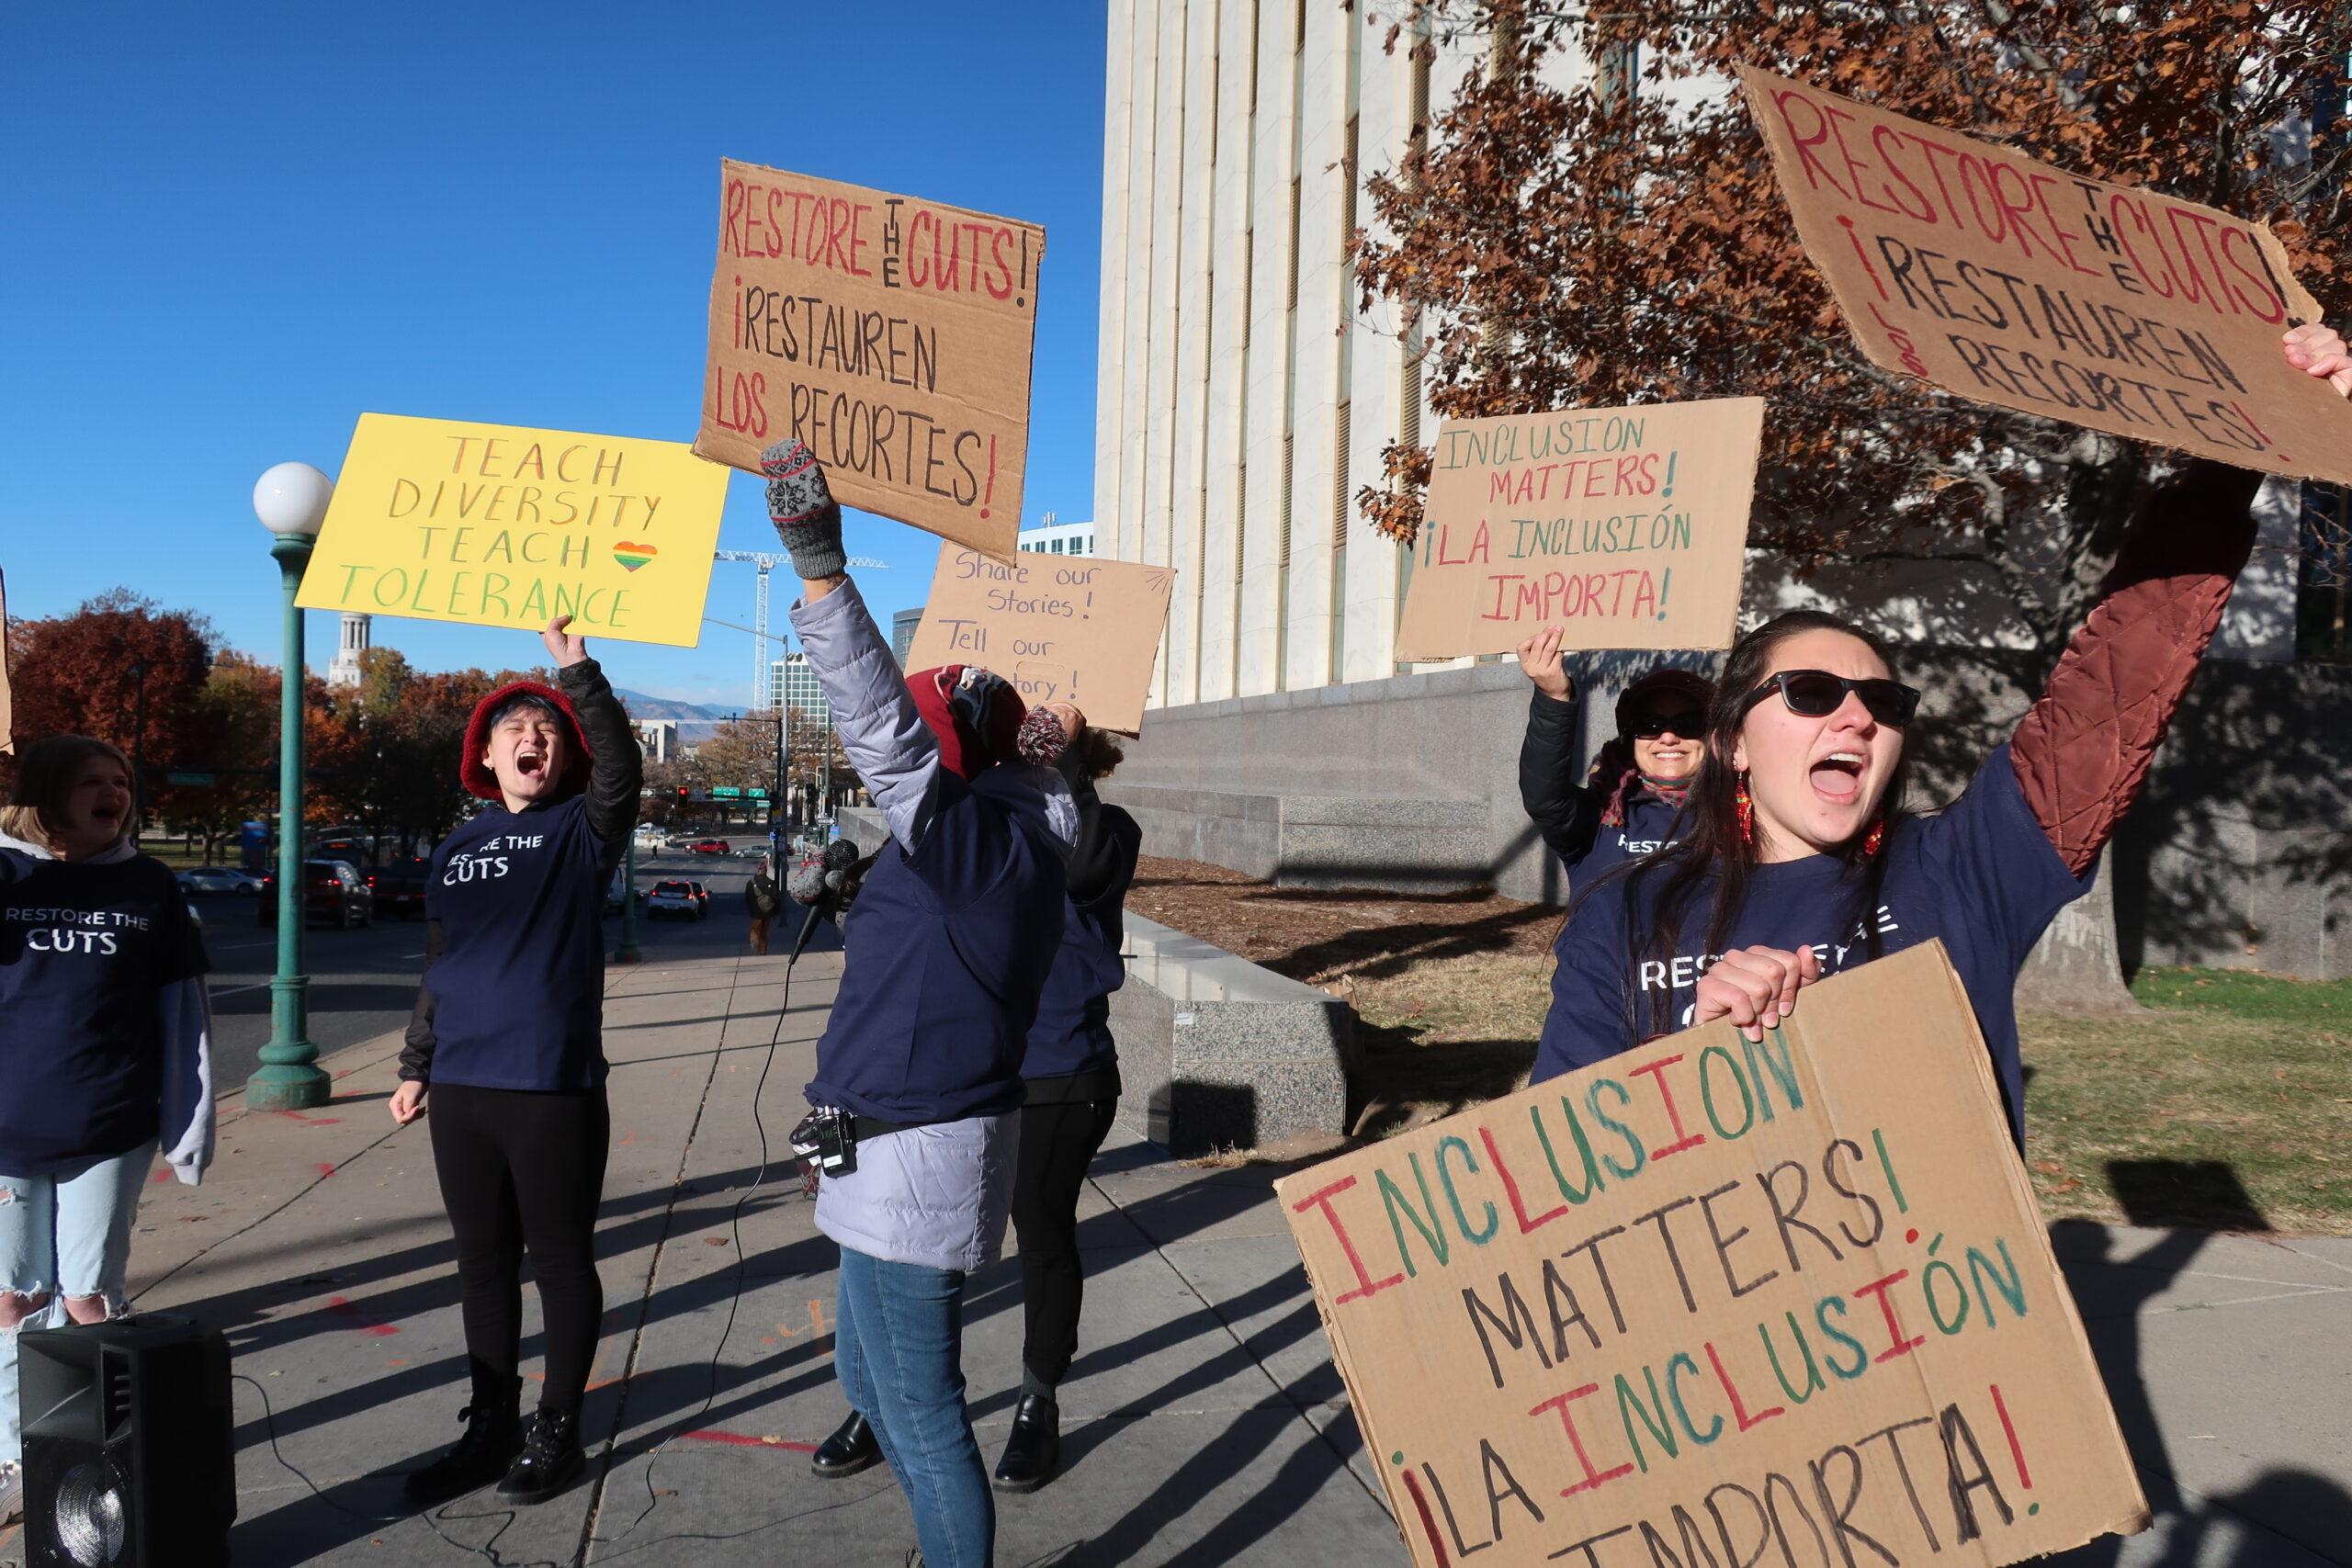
(1718, 1301)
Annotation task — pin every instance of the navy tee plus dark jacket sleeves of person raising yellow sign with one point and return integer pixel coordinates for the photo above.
(514, 989)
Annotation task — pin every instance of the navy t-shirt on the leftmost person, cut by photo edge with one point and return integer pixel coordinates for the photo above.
(86, 953)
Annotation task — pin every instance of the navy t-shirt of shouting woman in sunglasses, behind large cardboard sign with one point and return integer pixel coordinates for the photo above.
(1979, 876)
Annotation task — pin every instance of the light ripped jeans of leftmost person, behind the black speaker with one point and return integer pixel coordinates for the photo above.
(65, 1242)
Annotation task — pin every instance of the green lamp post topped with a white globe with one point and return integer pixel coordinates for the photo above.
(290, 504)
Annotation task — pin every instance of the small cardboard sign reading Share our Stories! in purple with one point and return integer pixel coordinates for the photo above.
(1057, 626)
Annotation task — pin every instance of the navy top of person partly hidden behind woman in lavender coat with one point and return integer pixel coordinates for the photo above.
(1071, 1054)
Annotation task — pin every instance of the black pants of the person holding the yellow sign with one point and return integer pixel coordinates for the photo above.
(526, 1172)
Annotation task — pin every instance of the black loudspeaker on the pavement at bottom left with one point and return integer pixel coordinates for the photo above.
(128, 1445)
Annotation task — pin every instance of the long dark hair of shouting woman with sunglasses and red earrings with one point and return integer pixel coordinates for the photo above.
(1709, 840)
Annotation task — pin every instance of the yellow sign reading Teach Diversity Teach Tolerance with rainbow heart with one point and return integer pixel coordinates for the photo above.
(497, 525)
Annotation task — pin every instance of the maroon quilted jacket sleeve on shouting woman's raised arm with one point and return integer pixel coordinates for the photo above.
(2083, 751)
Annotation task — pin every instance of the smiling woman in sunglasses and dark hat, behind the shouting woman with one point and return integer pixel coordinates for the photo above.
(1636, 791)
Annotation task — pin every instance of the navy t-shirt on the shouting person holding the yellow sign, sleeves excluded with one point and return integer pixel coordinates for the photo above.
(519, 989)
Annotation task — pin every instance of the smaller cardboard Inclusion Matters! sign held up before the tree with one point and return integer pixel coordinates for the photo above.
(1626, 528)
